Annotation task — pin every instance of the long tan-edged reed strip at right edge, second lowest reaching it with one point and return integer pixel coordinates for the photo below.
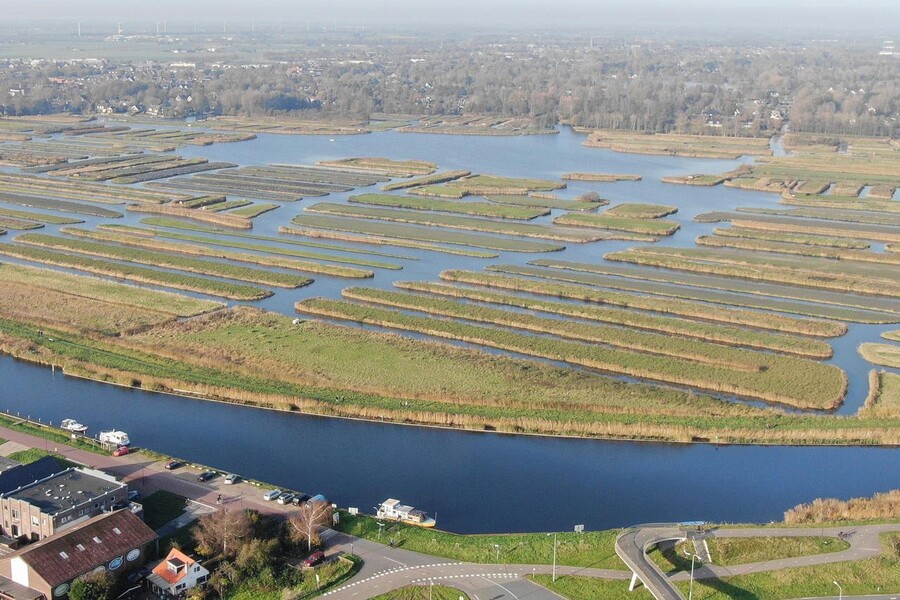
(762, 269)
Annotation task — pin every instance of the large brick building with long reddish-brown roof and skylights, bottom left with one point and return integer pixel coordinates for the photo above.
(115, 542)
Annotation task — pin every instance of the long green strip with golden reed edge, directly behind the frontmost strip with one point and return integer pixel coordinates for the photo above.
(617, 337)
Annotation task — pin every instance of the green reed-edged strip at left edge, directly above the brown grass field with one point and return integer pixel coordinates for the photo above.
(140, 274)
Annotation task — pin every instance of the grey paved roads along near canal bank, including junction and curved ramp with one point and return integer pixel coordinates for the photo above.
(385, 569)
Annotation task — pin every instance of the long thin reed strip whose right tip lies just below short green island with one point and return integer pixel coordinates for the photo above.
(453, 222)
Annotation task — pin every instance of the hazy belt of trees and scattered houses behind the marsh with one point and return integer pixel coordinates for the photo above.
(652, 86)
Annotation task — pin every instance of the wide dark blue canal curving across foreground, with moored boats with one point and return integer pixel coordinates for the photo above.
(476, 482)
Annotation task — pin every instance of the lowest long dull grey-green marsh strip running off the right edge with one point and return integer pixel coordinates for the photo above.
(821, 304)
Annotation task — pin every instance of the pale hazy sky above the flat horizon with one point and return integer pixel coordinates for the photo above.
(827, 15)
